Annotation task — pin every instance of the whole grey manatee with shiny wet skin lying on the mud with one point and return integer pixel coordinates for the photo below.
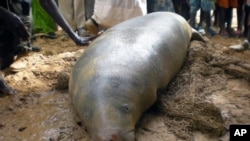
(116, 79)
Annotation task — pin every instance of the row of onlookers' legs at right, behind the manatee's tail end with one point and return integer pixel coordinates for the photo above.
(222, 13)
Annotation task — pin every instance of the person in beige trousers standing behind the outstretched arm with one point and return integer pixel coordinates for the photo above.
(74, 13)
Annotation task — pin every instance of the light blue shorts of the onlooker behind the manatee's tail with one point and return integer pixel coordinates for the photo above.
(205, 5)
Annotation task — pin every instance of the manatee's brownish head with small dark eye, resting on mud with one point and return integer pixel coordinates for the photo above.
(110, 119)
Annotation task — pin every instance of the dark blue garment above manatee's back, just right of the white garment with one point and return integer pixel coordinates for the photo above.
(160, 5)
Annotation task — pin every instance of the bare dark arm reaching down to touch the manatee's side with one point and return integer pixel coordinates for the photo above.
(51, 8)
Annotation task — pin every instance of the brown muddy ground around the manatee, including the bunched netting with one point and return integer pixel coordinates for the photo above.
(211, 91)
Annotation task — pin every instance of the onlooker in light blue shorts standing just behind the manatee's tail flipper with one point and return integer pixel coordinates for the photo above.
(205, 6)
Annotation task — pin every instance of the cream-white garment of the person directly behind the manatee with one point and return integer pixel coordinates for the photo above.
(111, 12)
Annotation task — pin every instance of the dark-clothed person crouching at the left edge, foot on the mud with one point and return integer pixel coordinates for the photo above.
(12, 31)
